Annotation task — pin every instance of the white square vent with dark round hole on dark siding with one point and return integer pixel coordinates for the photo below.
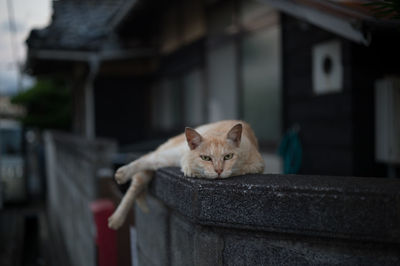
(327, 67)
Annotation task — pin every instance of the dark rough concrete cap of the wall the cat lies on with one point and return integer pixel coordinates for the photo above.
(344, 207)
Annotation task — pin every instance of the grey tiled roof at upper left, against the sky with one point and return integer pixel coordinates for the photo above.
(79, 25)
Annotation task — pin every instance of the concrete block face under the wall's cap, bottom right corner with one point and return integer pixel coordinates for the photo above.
(265, 249)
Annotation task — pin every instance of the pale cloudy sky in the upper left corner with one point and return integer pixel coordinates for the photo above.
(28, 14)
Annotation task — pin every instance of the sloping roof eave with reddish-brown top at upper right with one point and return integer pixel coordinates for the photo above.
(352, 19)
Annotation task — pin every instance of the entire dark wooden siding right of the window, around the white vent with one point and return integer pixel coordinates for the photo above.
(337, 130)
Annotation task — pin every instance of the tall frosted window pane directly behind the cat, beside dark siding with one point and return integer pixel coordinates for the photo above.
(261, 79)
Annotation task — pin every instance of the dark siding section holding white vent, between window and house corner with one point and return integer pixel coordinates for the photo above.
(325, 120)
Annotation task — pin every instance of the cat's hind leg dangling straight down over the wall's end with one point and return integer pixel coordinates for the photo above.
(136, 189)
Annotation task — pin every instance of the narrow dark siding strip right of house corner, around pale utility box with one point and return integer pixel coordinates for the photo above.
(379, 60)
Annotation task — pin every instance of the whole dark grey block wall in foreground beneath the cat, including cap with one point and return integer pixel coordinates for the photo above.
(270, 220)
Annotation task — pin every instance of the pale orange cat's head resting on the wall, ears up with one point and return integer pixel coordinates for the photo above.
(213, 156)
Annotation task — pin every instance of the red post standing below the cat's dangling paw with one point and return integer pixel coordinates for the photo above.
(106, 239)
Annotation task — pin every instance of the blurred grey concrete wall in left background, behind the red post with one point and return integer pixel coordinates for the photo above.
(72, 164)
